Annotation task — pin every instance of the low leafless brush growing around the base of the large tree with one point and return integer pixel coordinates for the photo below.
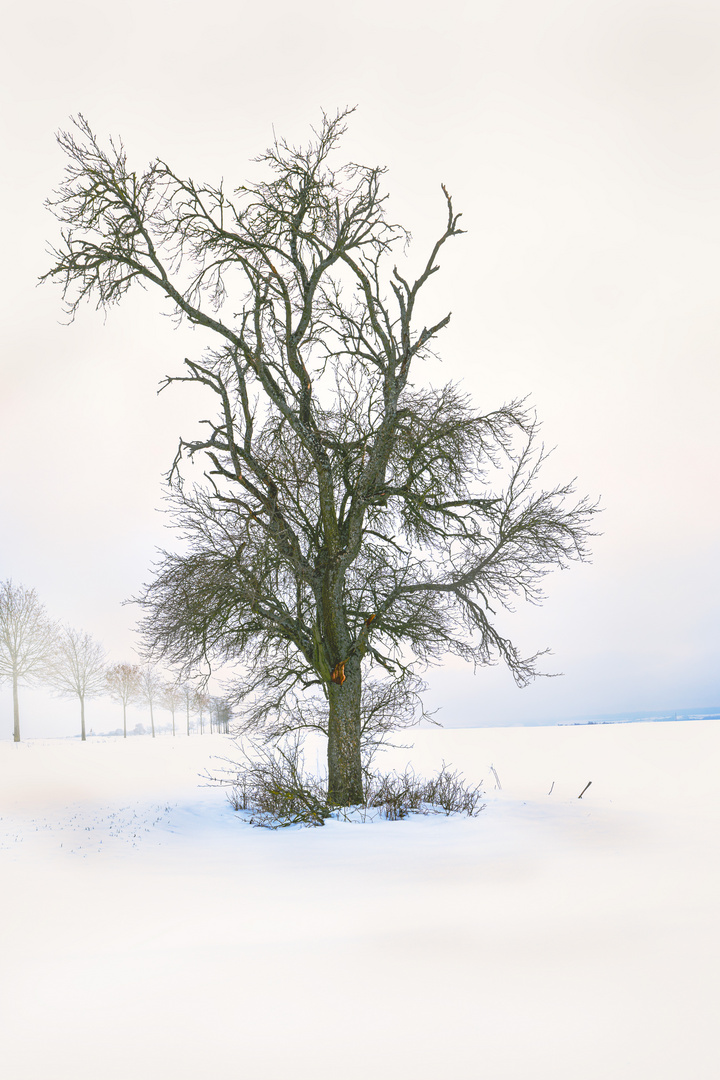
(273, 787)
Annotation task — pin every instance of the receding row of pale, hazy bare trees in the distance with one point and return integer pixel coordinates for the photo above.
(37, 652)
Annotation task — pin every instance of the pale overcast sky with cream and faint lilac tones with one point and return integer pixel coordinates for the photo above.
(581, 142)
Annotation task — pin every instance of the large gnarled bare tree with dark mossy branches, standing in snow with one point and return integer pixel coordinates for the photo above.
(352, 520)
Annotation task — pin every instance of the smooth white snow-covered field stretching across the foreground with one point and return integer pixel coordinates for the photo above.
(148, 934)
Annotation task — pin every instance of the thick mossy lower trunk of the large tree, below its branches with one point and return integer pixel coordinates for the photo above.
(344, 748)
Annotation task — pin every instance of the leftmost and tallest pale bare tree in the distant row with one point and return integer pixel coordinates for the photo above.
(26, 642)
